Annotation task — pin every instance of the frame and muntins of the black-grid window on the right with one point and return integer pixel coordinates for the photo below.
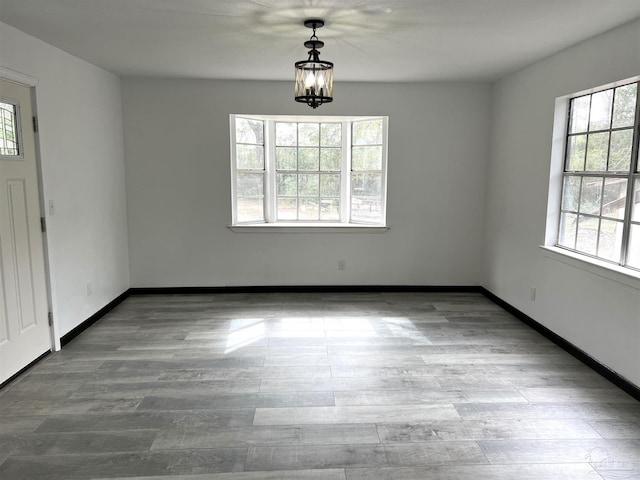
(632, 177)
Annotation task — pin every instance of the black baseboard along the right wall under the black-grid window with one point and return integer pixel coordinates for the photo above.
(567, 346)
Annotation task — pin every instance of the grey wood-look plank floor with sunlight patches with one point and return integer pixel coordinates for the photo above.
(390, 386)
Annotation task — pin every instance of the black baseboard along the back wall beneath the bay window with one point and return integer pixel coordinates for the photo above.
(305, 289)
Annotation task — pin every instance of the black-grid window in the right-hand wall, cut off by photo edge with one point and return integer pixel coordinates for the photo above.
(600, 203)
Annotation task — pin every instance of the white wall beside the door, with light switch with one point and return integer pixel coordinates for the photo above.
(80, 114)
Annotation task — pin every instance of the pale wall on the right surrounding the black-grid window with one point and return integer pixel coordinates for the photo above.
(597, 312)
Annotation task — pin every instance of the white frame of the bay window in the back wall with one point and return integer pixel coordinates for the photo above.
(269, 176)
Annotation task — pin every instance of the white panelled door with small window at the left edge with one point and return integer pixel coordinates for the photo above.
(24, 325)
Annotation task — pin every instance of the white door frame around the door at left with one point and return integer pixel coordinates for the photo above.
(31, 83)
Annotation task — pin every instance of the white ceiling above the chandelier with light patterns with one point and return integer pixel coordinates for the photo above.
(392, 40)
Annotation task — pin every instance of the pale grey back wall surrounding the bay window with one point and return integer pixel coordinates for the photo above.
(178, 187)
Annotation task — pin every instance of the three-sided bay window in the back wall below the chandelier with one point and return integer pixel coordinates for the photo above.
(295, 171)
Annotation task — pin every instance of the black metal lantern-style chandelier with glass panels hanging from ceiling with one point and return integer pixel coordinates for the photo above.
(314, 77)
